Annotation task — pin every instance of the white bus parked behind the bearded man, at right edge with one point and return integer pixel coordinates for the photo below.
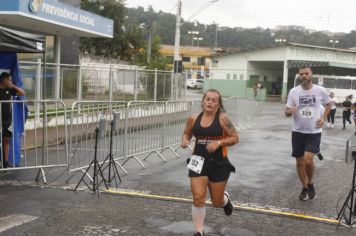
(342, 86)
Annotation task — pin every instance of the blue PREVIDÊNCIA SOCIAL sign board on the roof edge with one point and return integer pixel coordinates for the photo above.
(60, 14)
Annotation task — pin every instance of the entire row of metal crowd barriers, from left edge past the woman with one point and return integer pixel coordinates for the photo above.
(144, 129)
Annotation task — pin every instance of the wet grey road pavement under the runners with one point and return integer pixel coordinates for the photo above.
(265, 176)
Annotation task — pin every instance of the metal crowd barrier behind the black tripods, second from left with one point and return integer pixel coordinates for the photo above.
(84, 119)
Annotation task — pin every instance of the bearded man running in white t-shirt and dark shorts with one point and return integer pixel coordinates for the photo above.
(305, 104)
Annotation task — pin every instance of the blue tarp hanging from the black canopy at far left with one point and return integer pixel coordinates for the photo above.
(8, 61)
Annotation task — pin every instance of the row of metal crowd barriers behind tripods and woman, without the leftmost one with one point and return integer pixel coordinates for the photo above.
(146, 128)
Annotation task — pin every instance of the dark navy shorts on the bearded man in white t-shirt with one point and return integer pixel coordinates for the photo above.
(305, 143)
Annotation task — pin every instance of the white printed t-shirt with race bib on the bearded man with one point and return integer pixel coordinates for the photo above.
(310, 107)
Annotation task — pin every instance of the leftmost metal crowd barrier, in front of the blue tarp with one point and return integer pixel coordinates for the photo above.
(38, 140)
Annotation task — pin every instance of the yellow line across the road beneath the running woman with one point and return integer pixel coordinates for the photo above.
(239, 206)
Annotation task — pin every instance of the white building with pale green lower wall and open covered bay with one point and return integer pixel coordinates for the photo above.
(275, 68)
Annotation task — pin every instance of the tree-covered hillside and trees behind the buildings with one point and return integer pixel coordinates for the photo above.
(131, 26)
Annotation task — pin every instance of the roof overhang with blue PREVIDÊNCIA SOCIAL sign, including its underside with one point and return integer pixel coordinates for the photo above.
(53, 18)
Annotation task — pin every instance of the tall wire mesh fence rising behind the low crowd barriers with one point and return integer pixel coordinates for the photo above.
(100, 82)
